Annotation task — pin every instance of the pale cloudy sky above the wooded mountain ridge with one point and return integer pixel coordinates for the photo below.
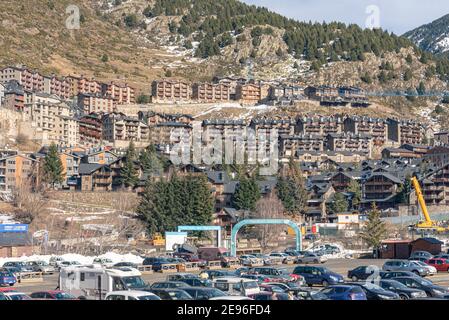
(398, 16)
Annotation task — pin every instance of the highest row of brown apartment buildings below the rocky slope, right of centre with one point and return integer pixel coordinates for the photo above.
(248, 92)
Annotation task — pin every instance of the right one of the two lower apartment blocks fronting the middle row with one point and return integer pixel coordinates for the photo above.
(349, 142)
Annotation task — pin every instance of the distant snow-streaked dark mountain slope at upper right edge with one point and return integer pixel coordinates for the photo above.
(432, 37)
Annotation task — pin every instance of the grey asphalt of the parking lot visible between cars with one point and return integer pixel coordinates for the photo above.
(340, 266)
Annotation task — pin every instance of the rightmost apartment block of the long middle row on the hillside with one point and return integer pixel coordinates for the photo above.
(405, 131)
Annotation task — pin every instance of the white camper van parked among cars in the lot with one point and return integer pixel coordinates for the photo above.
(95, 283)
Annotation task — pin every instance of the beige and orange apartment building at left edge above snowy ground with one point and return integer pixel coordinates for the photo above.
(15, 170)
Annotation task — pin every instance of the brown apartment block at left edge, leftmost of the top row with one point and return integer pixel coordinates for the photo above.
(29, 79)
